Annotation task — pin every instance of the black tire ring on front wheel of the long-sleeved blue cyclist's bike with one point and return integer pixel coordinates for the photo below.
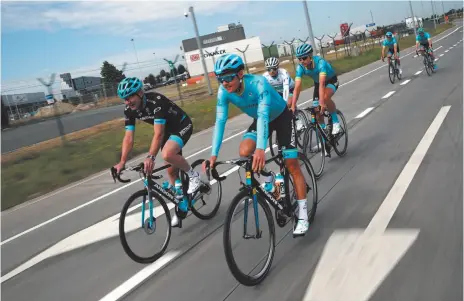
(241, 277)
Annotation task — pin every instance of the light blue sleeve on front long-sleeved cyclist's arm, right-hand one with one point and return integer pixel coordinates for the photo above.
(264, 105)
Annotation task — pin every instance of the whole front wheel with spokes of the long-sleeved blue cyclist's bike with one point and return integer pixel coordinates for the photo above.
(245, 263)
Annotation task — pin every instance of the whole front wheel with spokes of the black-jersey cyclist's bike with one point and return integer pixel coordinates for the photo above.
(134, 225)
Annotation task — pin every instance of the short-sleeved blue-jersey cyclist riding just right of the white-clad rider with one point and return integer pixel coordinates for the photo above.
(325, 83)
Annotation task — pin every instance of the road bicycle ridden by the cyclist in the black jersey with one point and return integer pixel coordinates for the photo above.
(142, 214)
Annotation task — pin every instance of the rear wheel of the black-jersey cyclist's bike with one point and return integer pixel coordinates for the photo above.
(206, 201)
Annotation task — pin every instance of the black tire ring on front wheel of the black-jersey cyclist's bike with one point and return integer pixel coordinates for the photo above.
(122, 234)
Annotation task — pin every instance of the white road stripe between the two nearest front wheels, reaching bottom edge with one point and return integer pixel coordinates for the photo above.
(138, 278)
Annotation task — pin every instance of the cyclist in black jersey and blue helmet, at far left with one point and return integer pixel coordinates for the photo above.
(172, 129)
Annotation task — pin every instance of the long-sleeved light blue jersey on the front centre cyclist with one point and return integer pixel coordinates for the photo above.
(258, 100)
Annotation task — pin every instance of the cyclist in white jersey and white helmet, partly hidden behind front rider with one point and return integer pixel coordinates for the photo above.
(278, 78)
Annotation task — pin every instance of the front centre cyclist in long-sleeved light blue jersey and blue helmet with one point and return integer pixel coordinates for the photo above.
(259, 100)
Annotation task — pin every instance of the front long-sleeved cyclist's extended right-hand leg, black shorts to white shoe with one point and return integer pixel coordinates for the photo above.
(286, 136)
